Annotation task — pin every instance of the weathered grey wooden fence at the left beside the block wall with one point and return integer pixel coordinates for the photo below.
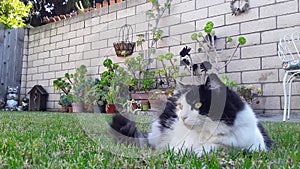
(11, 56)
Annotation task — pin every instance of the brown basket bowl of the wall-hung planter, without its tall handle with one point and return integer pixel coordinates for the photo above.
(128, 47)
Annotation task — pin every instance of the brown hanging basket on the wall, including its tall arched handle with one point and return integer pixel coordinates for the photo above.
(124, 47)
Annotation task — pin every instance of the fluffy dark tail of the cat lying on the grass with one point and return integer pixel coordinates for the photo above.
(125, 131)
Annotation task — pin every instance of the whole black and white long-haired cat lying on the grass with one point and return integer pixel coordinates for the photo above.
(199, 118)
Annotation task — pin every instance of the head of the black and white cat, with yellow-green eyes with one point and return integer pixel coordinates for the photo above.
(194, 103)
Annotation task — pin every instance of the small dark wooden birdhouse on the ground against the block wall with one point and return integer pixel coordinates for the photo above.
(38, 98)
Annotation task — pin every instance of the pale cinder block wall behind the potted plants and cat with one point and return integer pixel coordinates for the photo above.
(60, 47)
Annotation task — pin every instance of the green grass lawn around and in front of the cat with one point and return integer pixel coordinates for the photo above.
(58, 140)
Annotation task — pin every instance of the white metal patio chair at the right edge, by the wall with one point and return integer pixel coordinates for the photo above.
(289, 54)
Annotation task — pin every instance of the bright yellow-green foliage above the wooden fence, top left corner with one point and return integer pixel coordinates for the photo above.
(13, 13)
